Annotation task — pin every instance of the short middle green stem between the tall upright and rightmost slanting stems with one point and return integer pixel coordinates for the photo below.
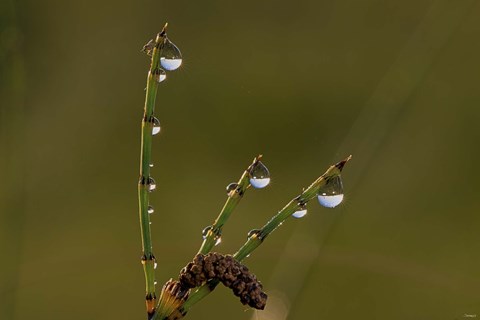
(234, 197)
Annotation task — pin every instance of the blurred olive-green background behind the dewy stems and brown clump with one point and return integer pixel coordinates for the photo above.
(305, 83)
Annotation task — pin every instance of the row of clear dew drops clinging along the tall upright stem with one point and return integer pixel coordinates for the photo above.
(170, 60)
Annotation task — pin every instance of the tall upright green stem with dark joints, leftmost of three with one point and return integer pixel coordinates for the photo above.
(148, 259)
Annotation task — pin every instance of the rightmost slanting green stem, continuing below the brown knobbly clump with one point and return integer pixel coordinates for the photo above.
(257, 238)
